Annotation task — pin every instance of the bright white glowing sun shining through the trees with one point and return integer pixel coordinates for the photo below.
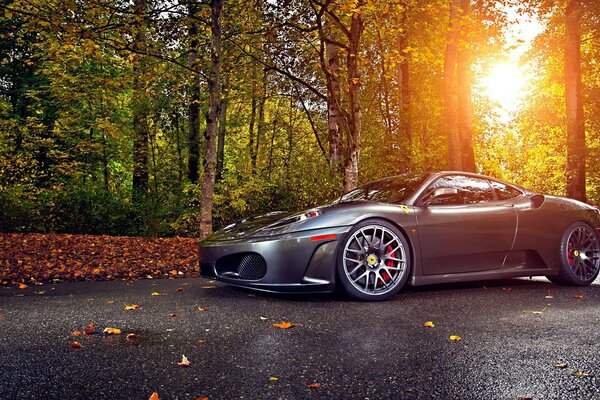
(505, 86)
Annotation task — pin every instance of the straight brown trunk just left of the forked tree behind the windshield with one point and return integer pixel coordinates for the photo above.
(334, 136)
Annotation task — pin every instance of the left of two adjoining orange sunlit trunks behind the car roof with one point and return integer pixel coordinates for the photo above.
(450, 106)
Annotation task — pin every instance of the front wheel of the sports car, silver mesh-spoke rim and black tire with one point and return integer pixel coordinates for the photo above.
(373, 261)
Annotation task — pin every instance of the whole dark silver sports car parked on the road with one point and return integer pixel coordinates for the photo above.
(424, 229)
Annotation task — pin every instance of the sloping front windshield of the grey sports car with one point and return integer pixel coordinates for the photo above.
(389, 190)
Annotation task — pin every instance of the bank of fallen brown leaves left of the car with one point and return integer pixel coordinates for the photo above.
(27, 259)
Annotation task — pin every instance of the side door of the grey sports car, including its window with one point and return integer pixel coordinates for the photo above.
(467, 229)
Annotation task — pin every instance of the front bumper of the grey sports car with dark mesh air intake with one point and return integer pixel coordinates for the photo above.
(293, 262)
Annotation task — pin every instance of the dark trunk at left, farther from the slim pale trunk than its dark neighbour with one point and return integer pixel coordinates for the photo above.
(140, 109)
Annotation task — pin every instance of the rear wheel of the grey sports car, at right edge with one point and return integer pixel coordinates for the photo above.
(579, 256)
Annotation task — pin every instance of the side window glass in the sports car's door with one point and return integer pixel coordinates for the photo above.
(469, 190)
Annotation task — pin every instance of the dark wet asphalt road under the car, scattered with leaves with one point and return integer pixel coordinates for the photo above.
(512, 334)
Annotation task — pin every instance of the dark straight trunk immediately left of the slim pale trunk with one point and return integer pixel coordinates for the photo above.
(194, 106)
